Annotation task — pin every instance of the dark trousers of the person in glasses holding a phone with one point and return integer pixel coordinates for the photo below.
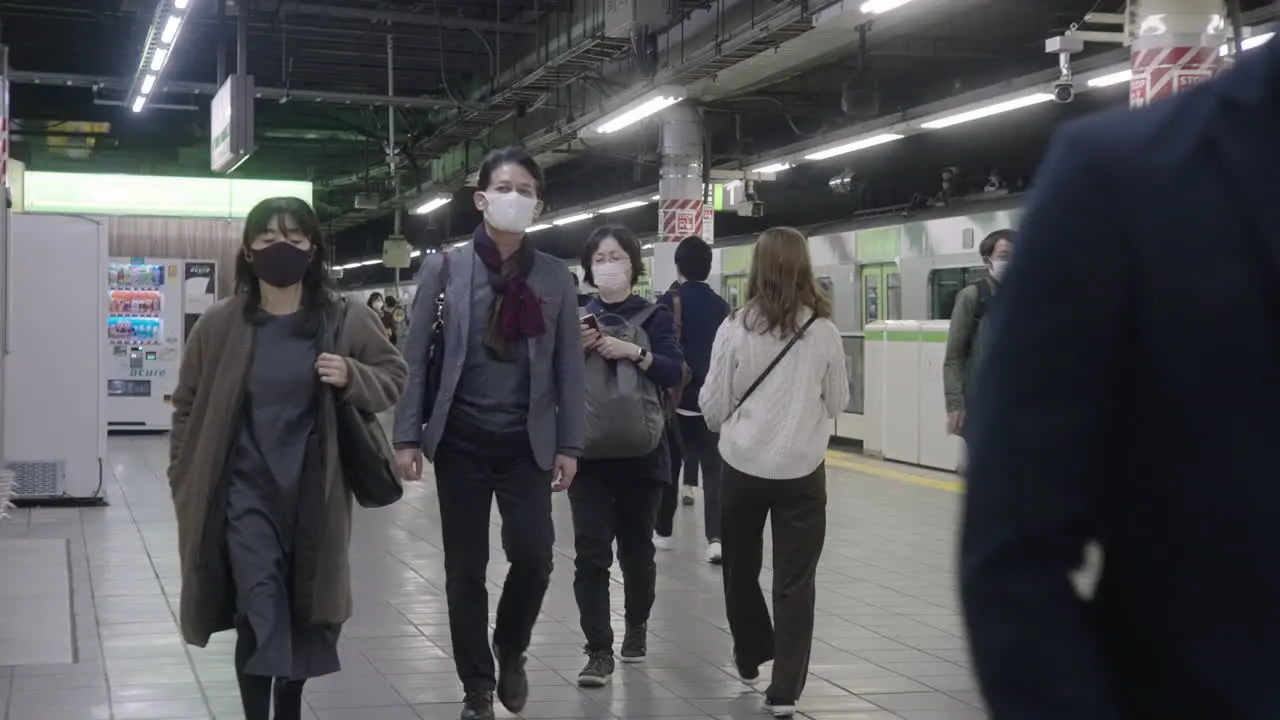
(611, 505)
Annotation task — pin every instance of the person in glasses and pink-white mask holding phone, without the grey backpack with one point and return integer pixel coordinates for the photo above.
(618, 500)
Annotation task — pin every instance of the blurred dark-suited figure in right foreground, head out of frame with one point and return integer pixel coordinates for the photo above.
(1130, 397)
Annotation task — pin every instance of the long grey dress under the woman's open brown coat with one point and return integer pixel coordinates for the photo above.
(273, 467)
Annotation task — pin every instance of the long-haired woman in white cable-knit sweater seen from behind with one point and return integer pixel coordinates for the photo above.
(776, 381)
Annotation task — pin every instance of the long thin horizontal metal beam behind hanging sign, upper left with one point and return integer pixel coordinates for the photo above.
(66, 80)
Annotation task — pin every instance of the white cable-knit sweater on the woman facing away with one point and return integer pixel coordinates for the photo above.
(781, 432)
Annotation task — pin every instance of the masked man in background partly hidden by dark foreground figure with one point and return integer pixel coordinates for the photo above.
(964, 341)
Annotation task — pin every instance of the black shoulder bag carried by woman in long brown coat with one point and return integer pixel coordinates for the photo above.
(365, 455)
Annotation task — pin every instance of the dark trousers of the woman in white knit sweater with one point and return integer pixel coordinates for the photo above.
(798, 509)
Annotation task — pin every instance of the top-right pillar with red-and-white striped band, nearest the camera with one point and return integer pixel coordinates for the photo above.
(1176, 47)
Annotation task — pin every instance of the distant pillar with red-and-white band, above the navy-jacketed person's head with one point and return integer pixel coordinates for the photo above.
(680, 190)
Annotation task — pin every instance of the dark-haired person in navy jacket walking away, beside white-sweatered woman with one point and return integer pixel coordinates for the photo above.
(700, 312)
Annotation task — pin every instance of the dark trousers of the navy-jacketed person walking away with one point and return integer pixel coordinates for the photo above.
(698, 448)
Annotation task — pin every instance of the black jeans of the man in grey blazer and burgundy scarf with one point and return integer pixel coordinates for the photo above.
(470, 470)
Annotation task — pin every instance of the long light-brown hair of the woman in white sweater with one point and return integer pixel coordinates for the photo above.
(783, 284)
